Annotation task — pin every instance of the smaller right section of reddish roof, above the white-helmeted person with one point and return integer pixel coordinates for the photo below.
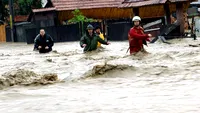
(139, 3)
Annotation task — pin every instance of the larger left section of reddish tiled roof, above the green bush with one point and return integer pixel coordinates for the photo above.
(84, 4)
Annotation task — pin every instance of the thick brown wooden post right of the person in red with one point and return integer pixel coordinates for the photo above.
(180, 17)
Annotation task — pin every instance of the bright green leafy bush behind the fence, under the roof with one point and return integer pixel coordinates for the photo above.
(79, 17)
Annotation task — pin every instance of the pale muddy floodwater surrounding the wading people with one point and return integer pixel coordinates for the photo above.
(108, 80)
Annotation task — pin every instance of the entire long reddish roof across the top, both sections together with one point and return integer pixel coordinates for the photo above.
(61, 5)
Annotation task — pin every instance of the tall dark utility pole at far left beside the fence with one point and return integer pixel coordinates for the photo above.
(11, 14)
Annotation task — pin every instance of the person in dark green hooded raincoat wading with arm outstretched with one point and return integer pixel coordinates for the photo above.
(90, 40)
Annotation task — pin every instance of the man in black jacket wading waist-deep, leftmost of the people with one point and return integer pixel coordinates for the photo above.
(43, 42)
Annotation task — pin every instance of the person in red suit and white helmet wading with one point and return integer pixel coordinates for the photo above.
(137, 37)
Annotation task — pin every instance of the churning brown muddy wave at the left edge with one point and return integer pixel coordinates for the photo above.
(25, 77)
